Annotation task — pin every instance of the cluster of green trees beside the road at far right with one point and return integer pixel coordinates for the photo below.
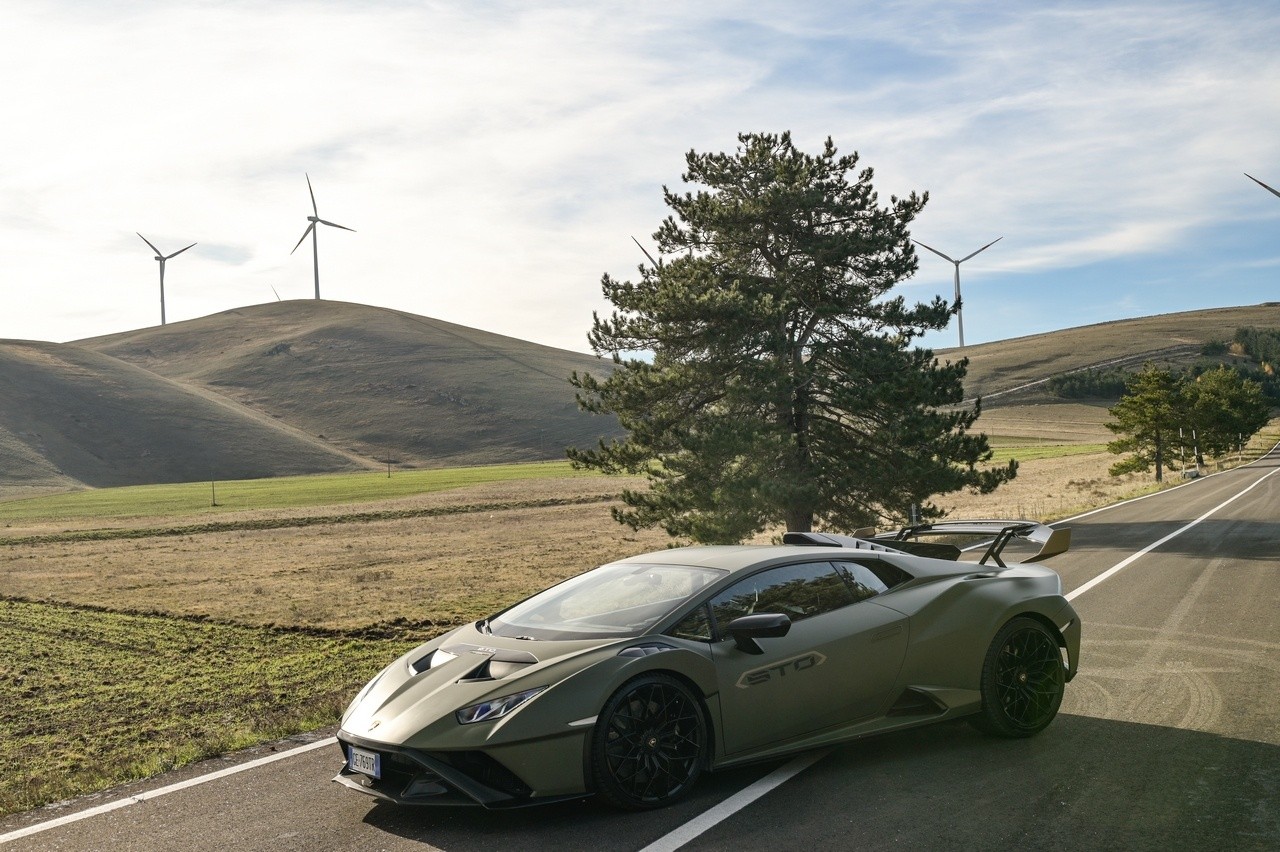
(1162, 409)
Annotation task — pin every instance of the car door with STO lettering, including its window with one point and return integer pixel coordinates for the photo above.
(836, 665)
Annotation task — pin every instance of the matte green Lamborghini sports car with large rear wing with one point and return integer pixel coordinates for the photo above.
(632, 680)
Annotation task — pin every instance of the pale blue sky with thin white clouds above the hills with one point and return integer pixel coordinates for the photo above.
(497, 158)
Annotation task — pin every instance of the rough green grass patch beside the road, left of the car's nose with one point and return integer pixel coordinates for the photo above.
(97, 698)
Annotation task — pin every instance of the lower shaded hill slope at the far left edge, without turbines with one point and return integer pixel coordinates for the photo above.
(72, 416)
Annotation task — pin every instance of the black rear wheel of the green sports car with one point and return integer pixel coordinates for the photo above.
(1023, 680)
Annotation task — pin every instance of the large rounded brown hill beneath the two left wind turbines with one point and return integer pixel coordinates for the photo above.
(378, 383)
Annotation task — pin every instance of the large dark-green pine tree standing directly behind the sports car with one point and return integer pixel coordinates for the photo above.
(783, 384)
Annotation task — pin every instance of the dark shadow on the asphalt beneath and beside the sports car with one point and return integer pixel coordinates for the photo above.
(1084, 784)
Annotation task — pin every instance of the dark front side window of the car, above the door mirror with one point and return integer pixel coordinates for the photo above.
(798, 592)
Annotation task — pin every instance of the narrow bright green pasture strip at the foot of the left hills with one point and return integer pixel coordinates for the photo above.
(280, 493)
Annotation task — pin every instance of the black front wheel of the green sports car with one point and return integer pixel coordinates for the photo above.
(650, 744)
